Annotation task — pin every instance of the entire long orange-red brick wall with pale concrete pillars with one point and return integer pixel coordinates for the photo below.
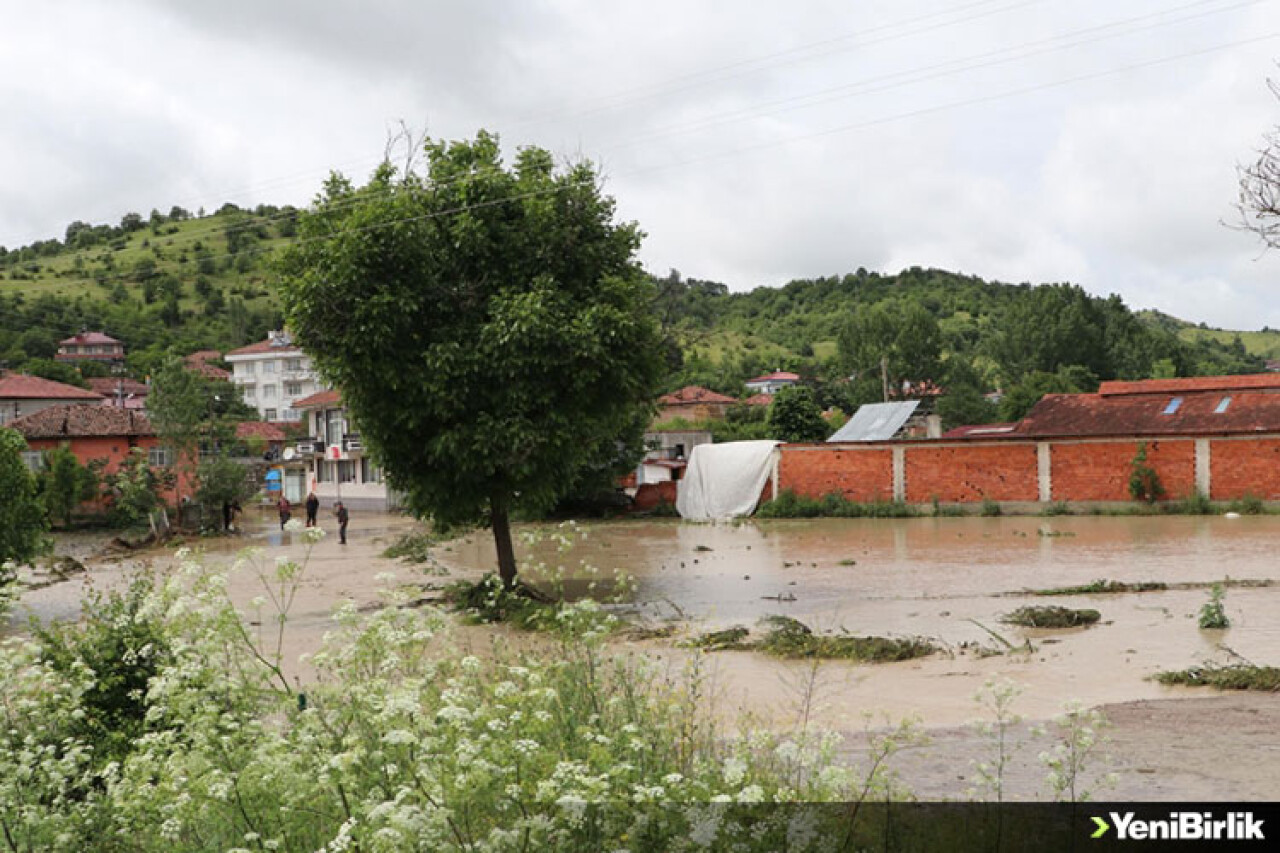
(1073, 471)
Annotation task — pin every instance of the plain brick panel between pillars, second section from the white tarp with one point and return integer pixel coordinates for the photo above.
(970, 473)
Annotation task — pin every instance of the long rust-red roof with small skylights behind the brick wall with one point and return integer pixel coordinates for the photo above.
(1144, 414)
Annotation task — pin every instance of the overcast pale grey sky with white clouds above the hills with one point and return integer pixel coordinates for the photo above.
(755, 143)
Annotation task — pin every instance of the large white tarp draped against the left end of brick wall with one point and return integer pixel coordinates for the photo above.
(725, 481)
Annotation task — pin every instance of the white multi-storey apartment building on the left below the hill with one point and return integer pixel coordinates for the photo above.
(272, 376)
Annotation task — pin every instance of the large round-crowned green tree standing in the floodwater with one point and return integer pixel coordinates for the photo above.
(488, 327)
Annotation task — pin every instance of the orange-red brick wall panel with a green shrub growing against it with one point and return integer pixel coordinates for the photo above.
(1101, 471)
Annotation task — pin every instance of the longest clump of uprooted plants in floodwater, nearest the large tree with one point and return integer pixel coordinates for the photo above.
(790, 638)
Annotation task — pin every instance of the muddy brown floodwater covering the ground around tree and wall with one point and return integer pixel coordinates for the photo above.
(947, 580)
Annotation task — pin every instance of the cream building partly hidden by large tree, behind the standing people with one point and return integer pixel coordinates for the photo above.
(331, 459)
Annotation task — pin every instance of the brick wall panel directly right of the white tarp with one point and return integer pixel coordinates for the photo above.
(860, 475)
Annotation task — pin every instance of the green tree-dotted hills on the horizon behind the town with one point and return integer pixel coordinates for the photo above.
(179, 282)
